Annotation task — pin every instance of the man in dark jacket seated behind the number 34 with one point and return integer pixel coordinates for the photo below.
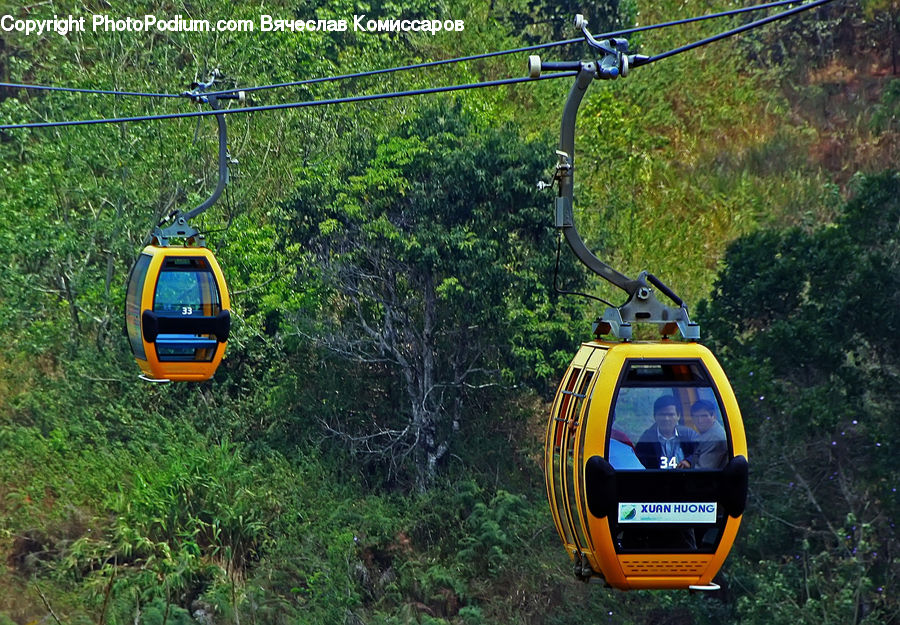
(666, 445)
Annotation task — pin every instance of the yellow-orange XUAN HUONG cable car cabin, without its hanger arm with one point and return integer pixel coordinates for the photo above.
(629, 505)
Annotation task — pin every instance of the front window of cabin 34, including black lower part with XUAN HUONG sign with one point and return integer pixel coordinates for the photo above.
(667, 425)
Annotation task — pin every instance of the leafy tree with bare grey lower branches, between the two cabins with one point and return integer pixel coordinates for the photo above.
(439, 256)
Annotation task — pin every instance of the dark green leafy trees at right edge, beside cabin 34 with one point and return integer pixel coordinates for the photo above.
(807, 322)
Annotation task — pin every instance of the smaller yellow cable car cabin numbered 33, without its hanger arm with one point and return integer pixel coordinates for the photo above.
(177, 313)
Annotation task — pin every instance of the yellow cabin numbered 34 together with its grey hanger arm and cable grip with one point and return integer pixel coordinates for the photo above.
(645, 456)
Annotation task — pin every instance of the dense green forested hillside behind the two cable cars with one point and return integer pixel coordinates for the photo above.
(370, 449)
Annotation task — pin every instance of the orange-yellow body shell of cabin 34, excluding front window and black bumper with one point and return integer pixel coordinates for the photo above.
(581, 531)
